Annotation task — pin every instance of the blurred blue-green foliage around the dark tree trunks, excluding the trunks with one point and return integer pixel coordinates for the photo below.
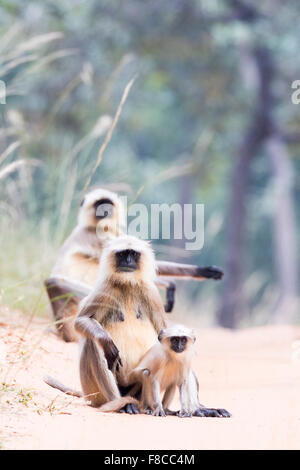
(66, 64)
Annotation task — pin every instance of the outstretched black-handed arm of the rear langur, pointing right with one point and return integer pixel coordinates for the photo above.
(187, 271)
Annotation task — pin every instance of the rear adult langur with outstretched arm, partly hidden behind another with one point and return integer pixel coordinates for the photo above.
(101, 217)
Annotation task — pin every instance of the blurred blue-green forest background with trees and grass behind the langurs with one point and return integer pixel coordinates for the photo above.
(209, 119)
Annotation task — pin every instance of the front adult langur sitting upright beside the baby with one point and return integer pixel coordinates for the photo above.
(119, 320)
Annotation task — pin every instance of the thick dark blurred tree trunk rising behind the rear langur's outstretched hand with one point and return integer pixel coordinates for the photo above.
(233, 303)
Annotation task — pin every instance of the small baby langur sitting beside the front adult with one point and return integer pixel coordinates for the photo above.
(164, 367)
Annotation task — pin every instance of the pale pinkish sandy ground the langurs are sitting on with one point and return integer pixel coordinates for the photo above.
(254, 373)
